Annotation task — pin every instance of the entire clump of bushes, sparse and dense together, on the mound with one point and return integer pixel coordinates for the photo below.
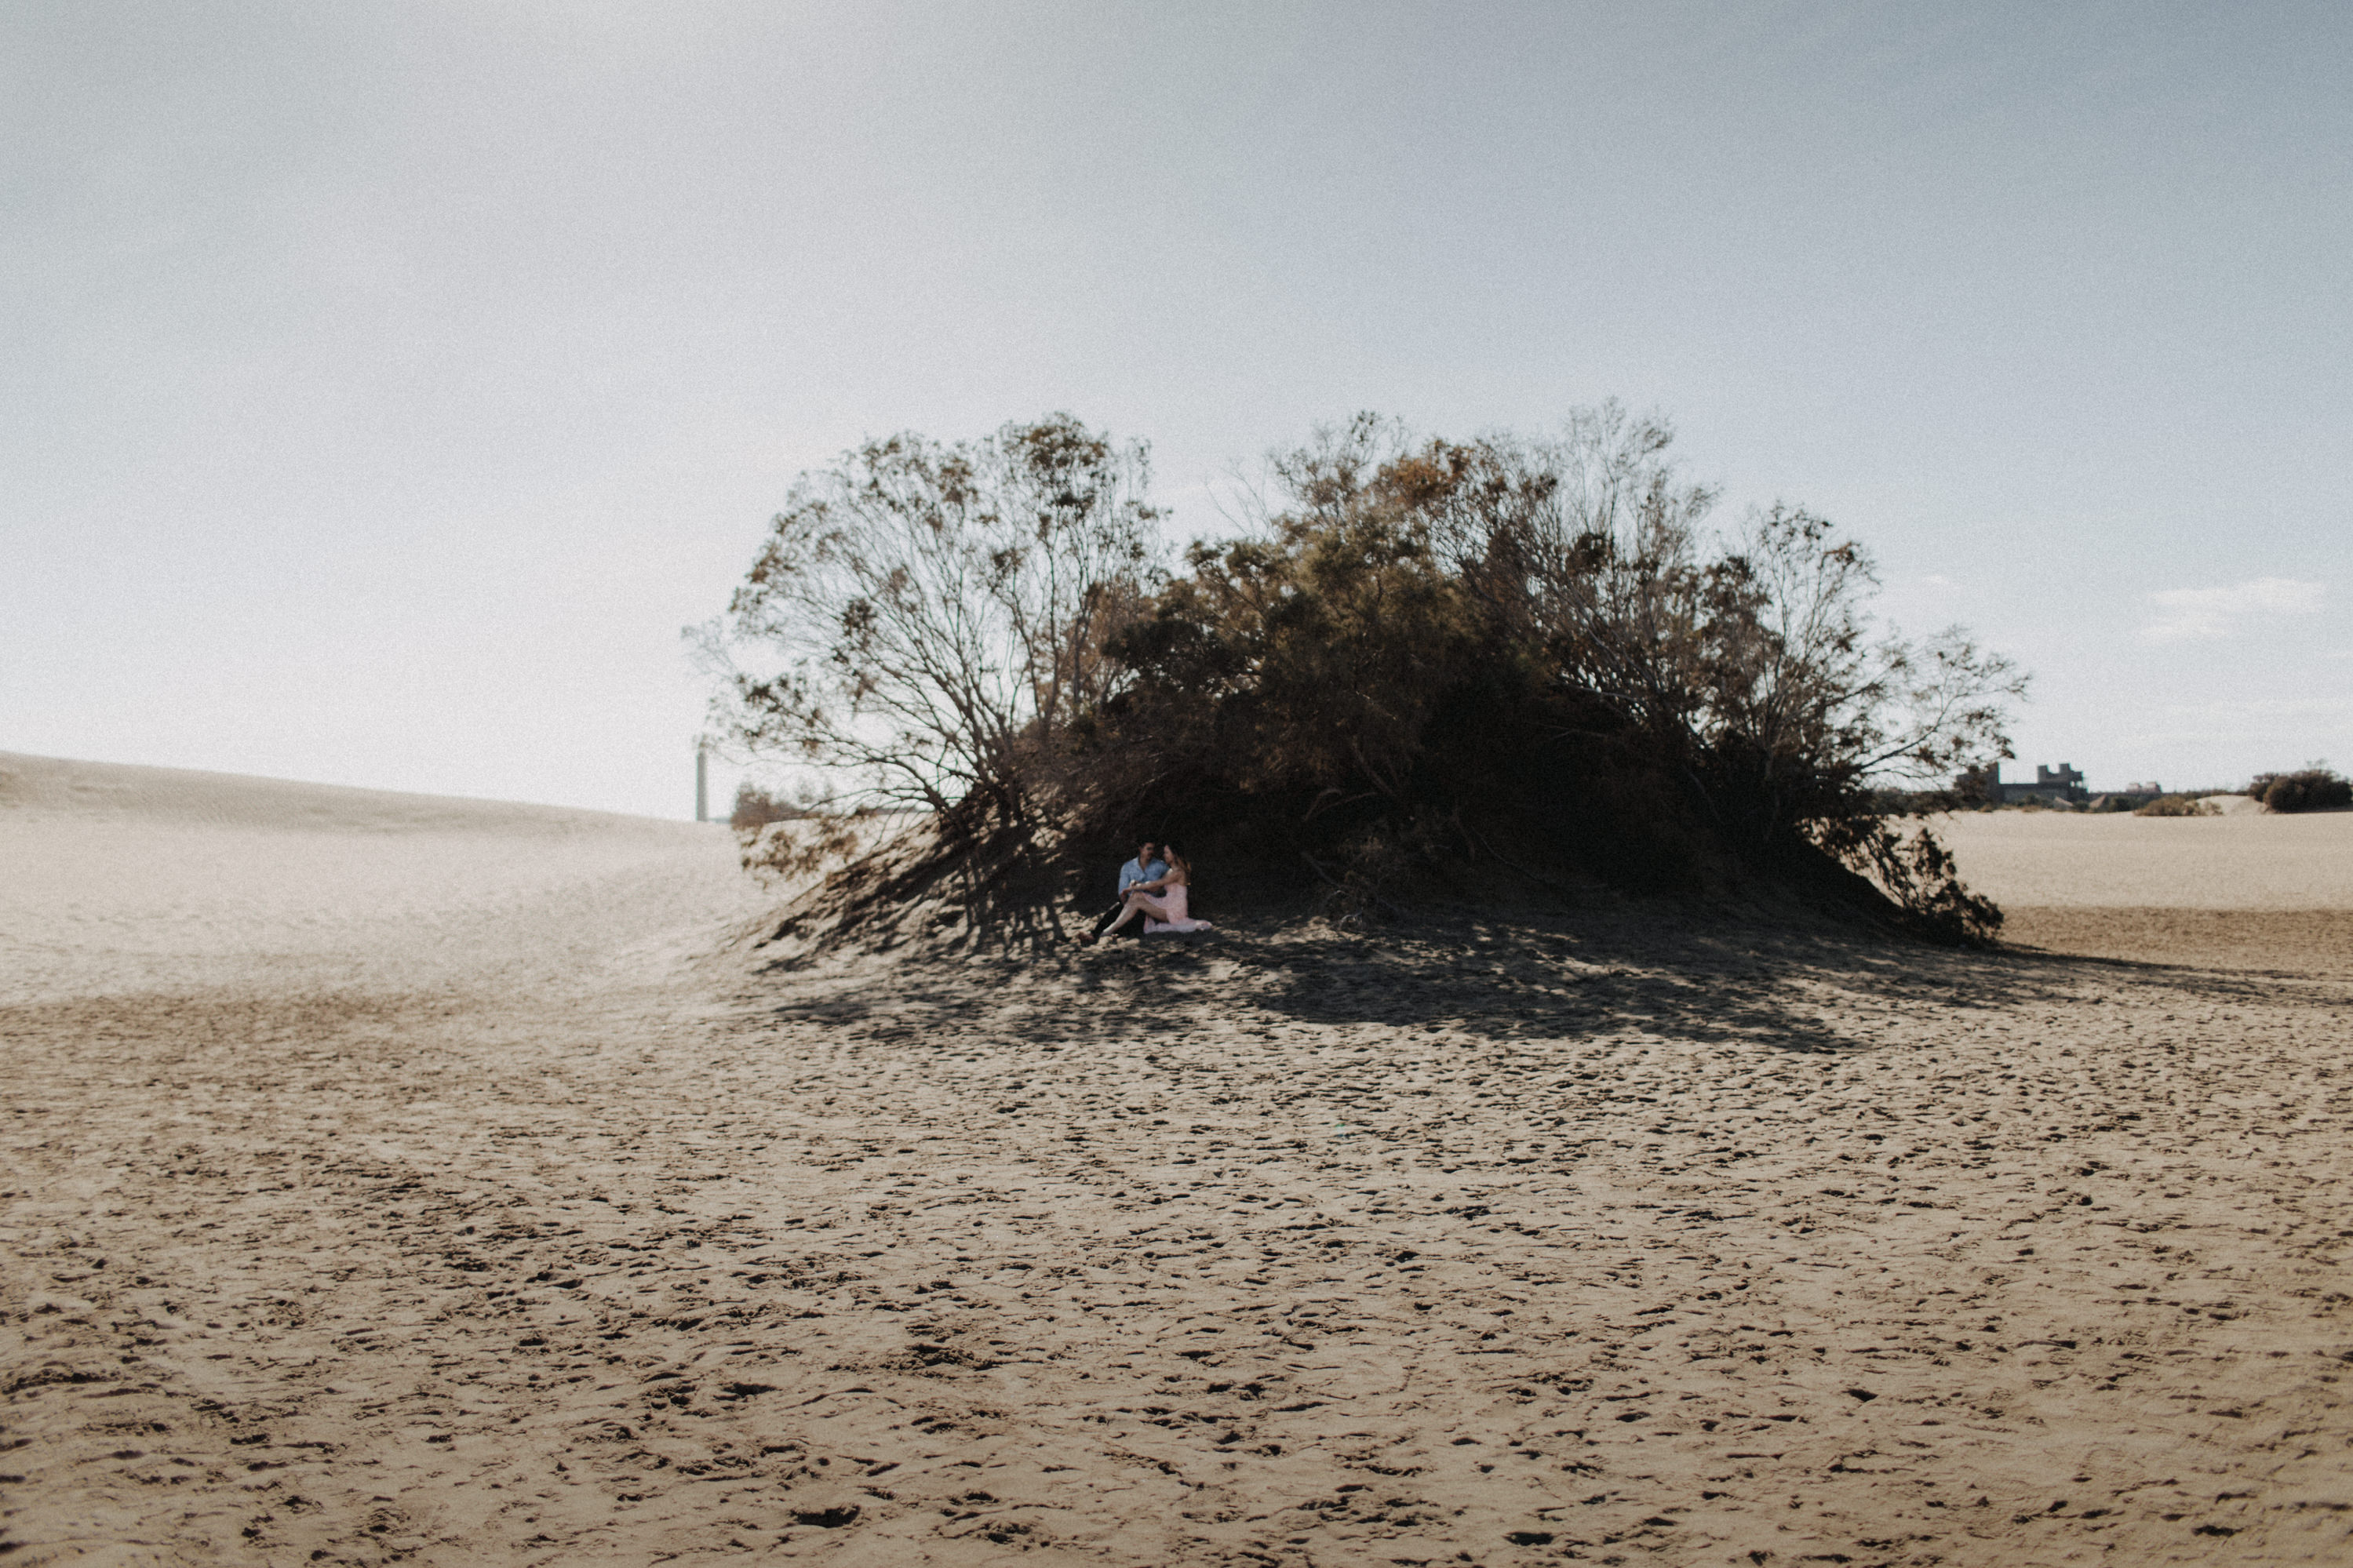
(1418, 664)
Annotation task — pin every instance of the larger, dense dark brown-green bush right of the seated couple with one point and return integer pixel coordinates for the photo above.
(1535, 652)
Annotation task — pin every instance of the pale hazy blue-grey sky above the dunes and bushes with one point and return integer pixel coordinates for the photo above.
(385, 387)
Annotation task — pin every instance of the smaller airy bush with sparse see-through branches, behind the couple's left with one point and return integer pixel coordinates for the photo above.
(926, 626)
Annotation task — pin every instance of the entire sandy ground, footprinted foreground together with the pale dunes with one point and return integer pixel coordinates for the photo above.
(427, 1181)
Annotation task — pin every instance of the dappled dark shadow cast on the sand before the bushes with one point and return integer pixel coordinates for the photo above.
(1768, 979)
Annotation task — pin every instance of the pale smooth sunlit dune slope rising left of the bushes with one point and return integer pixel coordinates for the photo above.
(133, 878)
